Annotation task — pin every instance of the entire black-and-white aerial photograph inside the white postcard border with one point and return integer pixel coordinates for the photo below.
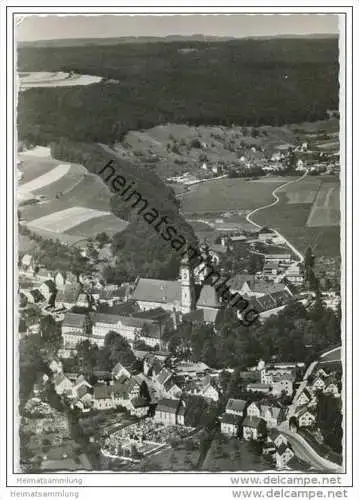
(178, 267)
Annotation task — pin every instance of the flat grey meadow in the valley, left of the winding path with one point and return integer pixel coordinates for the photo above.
(228, 194)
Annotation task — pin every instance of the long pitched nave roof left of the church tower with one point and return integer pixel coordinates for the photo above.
(152, 290)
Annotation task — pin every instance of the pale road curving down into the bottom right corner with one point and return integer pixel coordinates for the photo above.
(305, 452)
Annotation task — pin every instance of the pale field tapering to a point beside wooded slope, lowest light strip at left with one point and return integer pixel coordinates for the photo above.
(59, 222)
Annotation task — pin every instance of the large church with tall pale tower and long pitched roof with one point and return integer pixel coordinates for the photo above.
(186, 296)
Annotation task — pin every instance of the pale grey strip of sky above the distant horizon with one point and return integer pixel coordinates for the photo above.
(35, 27)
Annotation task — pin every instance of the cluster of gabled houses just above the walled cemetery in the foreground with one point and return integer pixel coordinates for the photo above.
(154, 391)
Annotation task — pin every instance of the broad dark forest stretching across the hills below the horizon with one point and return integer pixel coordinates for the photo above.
(245, 82)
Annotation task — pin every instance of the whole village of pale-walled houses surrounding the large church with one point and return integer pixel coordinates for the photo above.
(161, 396)
